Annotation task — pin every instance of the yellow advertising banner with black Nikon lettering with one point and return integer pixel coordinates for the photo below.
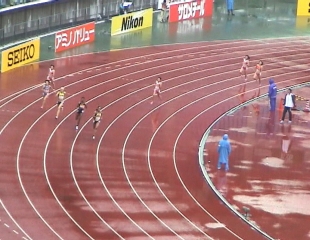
(132, 21)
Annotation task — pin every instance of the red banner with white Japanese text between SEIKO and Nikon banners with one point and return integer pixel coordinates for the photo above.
(74, 37)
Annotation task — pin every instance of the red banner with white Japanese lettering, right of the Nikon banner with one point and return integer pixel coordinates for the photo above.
(190, 10)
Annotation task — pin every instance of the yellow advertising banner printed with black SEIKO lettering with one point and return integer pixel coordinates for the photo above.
(20, 55)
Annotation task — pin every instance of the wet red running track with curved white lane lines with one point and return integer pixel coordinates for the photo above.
(140, 178)
